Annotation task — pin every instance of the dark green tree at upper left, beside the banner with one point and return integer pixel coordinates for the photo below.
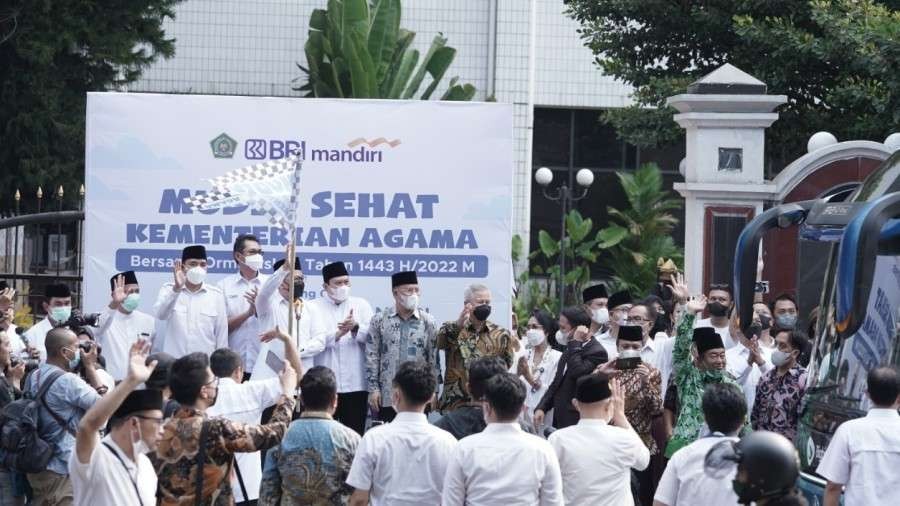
(52, 52)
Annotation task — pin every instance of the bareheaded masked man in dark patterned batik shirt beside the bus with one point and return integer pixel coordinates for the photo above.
(779, 392)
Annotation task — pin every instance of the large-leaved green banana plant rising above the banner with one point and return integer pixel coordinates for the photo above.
(358, 50)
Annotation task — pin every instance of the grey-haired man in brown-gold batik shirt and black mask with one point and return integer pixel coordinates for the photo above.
(467, 339)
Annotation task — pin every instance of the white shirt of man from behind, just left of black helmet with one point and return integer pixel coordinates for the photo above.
(685, 482)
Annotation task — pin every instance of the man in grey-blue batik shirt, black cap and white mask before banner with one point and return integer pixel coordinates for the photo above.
(396, 335)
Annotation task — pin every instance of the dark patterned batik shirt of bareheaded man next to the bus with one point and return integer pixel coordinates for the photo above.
(777, 406)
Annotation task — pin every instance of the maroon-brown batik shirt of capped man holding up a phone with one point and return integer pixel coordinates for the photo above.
(643, 401)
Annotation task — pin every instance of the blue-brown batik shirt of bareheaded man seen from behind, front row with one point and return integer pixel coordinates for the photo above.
(311, 465)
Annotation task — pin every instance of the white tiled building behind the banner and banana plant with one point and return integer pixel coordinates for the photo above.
(527, 53)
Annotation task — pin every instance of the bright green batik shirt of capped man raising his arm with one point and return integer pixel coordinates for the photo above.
(691, 382)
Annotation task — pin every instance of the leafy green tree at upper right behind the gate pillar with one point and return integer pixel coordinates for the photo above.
(836, 61)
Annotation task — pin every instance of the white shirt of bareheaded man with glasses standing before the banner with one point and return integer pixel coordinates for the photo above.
(244, 339)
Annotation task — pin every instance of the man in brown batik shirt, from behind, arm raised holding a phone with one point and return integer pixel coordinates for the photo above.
(189, 436)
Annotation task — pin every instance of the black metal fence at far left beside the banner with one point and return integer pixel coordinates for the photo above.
(43, 247)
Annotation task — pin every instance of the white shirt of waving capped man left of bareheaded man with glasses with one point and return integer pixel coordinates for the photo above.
(193, 321)
